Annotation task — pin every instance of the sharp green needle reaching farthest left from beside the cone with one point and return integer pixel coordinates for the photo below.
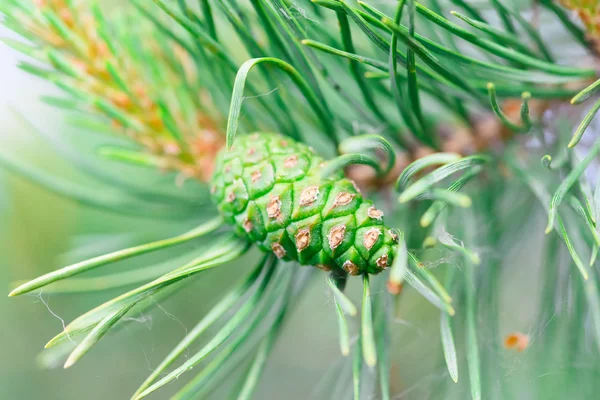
(119, 255)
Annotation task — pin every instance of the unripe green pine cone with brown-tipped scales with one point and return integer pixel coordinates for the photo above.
(269, 187)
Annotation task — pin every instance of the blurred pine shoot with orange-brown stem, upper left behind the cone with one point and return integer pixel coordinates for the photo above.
(103, 68)
